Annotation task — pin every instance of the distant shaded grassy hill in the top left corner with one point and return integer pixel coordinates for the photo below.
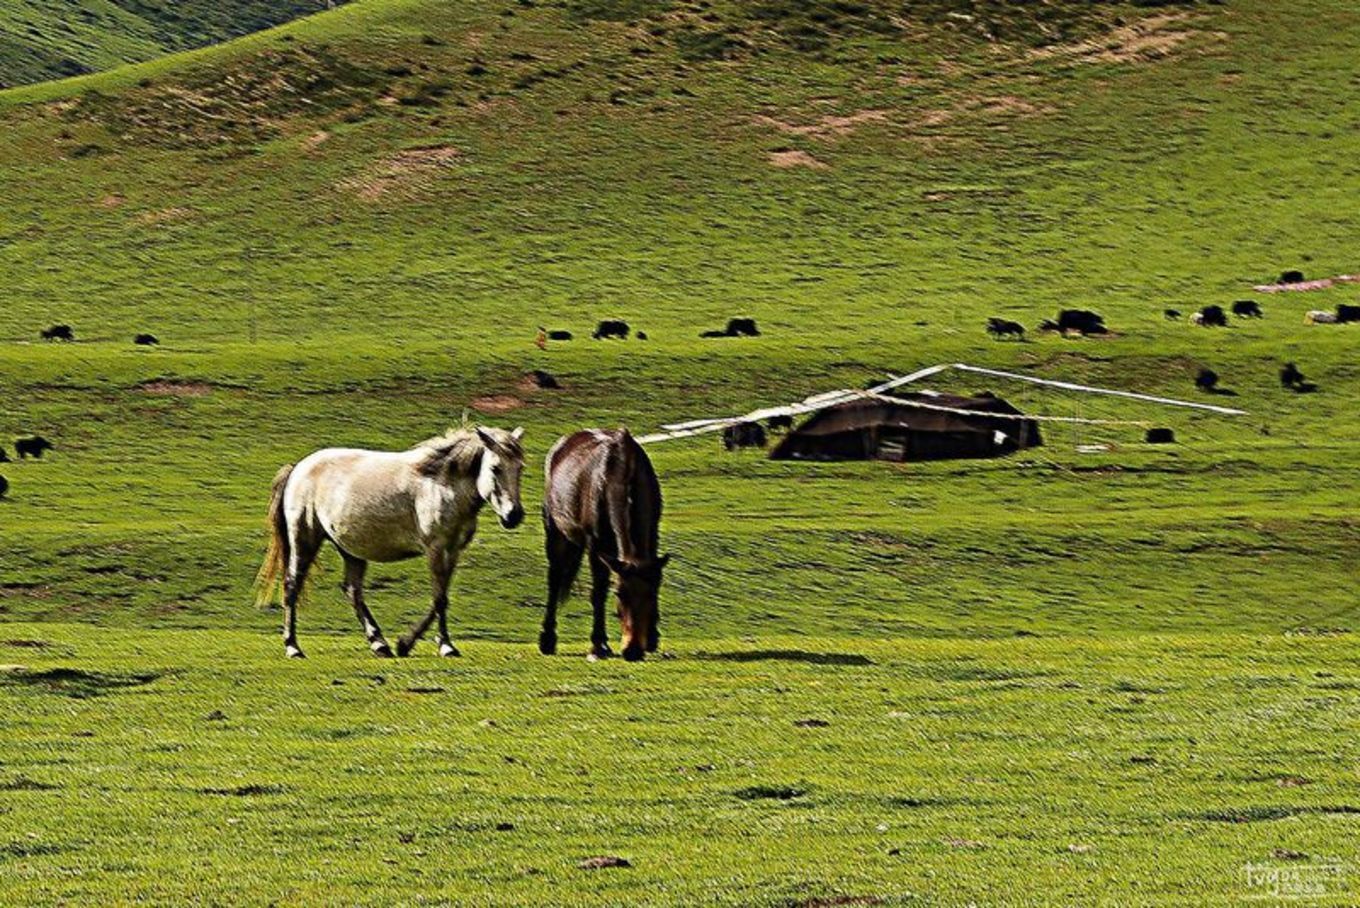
(55, 39)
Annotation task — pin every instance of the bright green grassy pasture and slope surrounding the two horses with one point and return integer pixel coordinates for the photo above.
(1052, 679)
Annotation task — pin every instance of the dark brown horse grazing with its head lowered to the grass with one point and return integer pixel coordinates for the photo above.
(603, 498)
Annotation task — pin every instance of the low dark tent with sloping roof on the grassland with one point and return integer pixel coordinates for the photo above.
(893, 429)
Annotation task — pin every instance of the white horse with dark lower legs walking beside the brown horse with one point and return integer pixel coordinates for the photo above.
(388, 506)
